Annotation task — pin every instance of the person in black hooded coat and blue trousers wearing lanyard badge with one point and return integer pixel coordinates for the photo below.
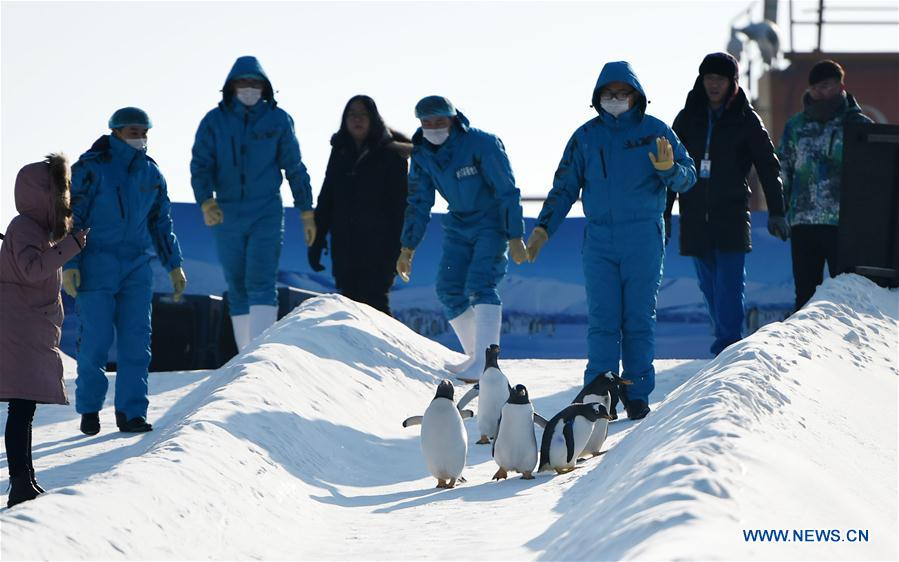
(725, 137)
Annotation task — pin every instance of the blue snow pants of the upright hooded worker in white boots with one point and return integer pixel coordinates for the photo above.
(249, 244)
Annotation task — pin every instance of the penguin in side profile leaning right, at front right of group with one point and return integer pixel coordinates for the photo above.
(566, 434)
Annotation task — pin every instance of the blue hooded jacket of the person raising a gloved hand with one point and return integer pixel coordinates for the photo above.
(607, 159)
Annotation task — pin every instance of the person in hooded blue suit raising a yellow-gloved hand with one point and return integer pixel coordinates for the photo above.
(610, 162)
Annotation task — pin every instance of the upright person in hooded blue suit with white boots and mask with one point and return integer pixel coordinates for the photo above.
(240, 150)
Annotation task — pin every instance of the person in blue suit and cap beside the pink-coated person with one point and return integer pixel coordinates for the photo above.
(120, 195)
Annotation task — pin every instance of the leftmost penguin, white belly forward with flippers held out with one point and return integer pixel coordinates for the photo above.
(443, 438)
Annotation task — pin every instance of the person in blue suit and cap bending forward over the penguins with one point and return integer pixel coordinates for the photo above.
(470, 169)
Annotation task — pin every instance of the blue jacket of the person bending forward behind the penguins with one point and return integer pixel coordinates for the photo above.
(472, 172)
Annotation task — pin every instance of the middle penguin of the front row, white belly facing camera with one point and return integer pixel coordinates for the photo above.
(515, 447)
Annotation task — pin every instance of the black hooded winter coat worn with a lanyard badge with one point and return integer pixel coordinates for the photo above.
(715, 213)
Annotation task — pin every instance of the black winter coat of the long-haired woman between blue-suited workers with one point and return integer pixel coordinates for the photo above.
(362, 204)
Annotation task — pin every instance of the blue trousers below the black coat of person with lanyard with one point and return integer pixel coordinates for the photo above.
(722, 279)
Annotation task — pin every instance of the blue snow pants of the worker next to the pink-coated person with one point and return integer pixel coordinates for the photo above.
(116, 293)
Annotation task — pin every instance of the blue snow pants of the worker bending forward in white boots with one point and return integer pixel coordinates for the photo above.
(472, 265)
